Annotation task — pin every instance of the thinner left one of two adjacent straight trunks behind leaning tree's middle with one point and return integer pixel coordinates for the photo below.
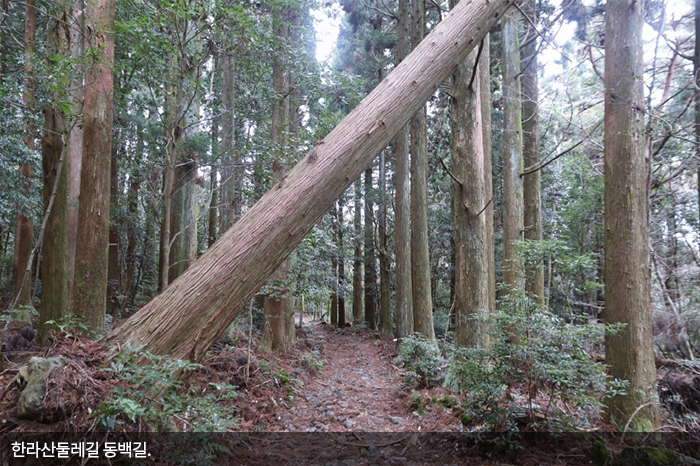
(402, 230)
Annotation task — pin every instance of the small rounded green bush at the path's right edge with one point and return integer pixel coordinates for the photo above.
(422, 362)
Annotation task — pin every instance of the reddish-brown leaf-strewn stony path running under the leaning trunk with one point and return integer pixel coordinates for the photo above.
(357, 389)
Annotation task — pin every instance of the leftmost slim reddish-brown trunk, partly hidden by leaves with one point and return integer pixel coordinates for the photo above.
(24, 238)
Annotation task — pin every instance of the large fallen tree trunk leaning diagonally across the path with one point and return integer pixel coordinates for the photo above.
(187, 317)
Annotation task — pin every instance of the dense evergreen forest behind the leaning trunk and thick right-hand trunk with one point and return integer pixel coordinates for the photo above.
(213, 102)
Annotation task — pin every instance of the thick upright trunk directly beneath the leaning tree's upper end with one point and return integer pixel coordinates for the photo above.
(469, 200)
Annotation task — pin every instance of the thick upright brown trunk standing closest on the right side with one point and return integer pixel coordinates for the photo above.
(629, 353)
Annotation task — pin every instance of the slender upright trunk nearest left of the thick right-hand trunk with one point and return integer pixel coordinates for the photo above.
(534, 283)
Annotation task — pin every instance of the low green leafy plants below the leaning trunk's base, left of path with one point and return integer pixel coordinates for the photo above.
(151, 392)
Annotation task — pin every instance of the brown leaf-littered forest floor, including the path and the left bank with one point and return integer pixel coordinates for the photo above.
(334, 399)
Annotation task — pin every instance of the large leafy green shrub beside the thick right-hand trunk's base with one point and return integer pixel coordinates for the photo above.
(539, 371)
